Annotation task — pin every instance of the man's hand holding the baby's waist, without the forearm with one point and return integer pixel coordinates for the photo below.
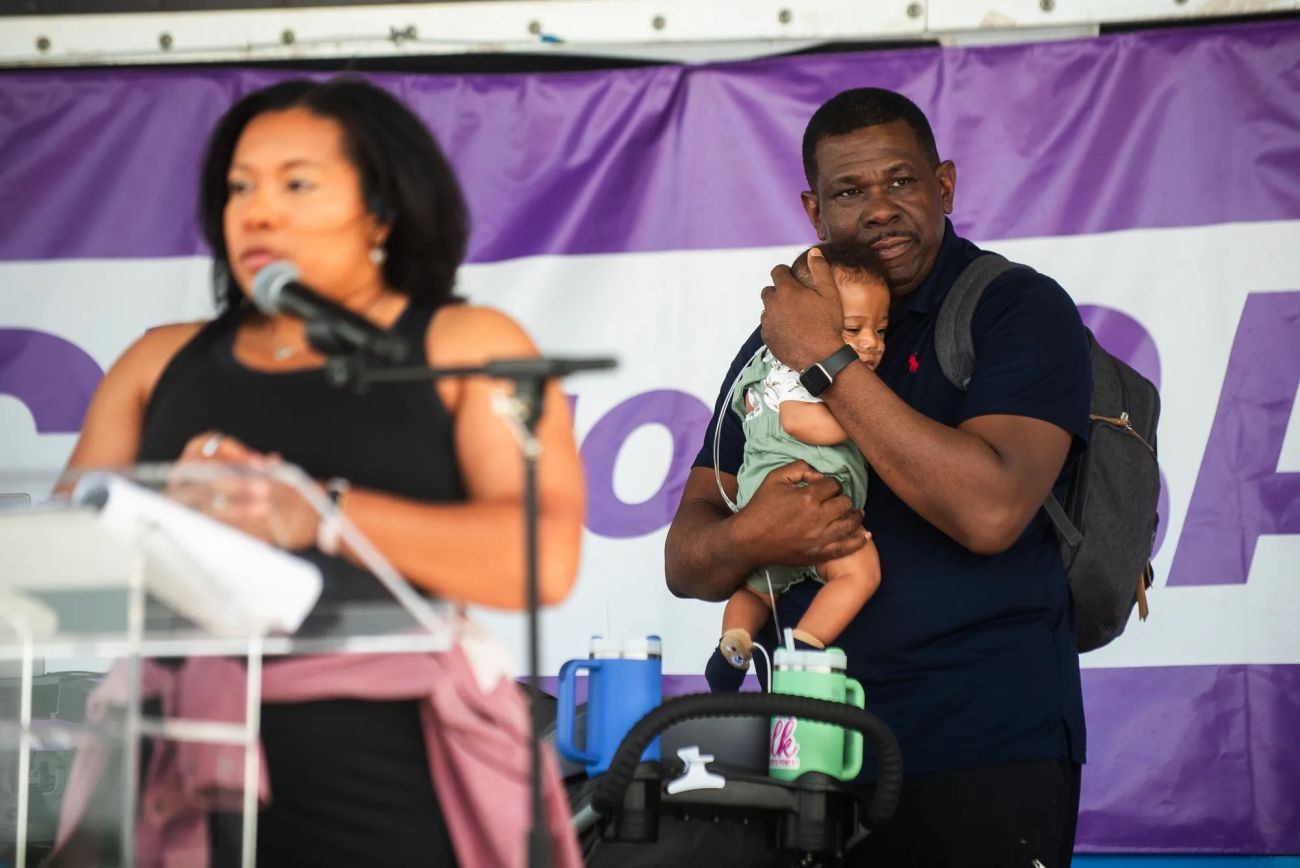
(799, 518)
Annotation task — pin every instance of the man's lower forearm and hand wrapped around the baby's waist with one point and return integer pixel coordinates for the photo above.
(796, 518)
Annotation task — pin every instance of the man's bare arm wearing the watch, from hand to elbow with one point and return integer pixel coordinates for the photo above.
(981, 484)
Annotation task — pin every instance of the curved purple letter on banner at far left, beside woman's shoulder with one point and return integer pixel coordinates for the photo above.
(54, 377)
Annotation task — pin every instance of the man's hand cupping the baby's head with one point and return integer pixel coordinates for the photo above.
(803, 325)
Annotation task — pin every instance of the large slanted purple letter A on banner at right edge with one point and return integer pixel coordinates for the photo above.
(1240, 494)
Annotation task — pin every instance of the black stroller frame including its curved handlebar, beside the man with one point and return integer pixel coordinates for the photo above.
(809, 822)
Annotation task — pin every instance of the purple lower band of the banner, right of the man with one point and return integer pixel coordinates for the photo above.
(1193, 759)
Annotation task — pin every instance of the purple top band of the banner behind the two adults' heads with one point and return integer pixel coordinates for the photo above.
(703, 158)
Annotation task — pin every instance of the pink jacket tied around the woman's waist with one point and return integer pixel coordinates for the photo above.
(476, 740)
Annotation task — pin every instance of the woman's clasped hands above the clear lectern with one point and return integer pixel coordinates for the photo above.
(244, 497)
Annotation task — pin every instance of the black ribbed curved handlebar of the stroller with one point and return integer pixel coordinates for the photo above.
(609, 795)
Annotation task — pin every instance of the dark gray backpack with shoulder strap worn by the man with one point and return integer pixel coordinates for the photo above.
(1108, 522)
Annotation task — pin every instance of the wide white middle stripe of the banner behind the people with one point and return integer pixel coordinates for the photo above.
(675, 320)
